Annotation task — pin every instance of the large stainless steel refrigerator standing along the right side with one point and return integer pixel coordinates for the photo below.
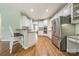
(61, 28)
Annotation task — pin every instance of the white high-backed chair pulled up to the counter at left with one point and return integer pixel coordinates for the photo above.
(14, 39)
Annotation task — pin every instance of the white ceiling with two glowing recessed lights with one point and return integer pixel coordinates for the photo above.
(36, 11)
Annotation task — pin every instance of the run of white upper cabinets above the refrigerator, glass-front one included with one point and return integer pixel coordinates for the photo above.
(71, 11)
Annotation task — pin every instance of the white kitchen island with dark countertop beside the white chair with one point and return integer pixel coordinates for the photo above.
(30, 37)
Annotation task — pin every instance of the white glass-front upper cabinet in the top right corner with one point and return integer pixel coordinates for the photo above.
(75, 13)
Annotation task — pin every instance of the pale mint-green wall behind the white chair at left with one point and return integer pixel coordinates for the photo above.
(10, 17)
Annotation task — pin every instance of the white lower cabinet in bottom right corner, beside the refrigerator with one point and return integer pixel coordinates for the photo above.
(72, 45)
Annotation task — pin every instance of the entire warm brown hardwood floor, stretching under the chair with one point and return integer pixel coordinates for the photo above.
(43, 47)
